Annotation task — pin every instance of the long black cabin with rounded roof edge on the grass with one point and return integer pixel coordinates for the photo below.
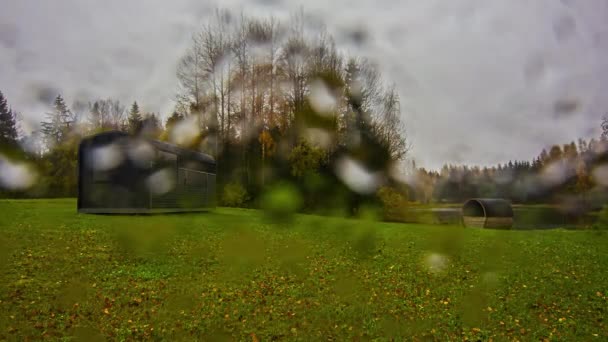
(119, 173)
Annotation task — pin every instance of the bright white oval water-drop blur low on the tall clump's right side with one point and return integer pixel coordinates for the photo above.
(356, 177)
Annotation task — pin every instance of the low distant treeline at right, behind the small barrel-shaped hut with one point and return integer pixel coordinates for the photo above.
(574, 174)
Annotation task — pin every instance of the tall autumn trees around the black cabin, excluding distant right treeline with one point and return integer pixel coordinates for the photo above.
(271, 101)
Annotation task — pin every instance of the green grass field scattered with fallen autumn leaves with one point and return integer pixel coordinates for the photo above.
(235, 275)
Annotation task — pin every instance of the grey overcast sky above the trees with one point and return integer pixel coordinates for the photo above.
(482, 81)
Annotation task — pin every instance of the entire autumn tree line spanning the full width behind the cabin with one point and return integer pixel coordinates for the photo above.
(274, 102)
